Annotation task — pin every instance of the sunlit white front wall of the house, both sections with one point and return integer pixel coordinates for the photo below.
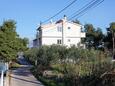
(50, 34)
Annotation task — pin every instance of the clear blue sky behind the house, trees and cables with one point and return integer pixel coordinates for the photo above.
(28, 13)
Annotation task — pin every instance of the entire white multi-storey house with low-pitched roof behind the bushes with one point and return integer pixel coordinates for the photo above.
(62, 32)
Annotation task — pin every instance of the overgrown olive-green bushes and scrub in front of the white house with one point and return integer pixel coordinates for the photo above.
(64, 66)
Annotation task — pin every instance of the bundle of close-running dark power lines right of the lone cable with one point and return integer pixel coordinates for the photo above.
(86, 7)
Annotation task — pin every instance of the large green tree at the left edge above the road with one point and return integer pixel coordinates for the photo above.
(10, 42)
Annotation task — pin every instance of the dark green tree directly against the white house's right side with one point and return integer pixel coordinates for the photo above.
(94, 37)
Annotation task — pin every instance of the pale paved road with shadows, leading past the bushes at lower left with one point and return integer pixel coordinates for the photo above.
(23, 77)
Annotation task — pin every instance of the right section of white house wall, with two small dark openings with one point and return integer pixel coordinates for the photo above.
(72, 34)
